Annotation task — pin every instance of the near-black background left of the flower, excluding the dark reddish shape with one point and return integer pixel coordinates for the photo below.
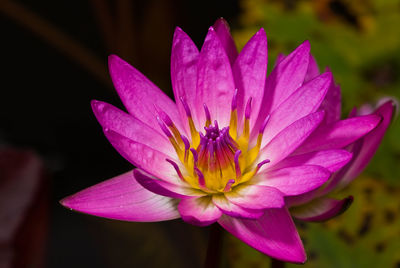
(54, 61)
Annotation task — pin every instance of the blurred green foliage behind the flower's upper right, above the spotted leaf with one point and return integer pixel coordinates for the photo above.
(358, 40)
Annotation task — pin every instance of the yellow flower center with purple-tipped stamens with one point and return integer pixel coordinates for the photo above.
(218, 159)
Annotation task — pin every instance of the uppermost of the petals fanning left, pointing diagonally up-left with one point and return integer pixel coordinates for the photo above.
(139, 95)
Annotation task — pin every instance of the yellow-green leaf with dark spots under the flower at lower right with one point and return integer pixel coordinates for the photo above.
(367, 235)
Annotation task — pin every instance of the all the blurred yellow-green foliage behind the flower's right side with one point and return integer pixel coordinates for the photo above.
(360, 42)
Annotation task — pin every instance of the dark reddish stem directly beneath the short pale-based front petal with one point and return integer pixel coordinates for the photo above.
(214, 247)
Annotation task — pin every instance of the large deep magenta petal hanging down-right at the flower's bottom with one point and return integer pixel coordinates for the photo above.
(274, 234)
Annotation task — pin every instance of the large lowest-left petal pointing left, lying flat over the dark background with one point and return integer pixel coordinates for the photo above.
(122, 198)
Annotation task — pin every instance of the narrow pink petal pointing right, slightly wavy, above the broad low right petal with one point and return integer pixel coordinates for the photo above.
(332, 160)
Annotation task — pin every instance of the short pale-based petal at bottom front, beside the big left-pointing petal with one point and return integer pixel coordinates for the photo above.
(199, 211)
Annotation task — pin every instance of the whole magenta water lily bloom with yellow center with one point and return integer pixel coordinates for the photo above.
(236, 147)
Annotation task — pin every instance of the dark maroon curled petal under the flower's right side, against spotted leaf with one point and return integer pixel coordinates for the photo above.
(322, 209)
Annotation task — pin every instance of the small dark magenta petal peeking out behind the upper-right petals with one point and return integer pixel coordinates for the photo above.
(332, 104)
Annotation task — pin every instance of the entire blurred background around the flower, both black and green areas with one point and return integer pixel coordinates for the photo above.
(54, 58)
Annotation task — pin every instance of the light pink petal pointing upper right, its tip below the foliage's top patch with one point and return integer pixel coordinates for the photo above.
(302, 102)
